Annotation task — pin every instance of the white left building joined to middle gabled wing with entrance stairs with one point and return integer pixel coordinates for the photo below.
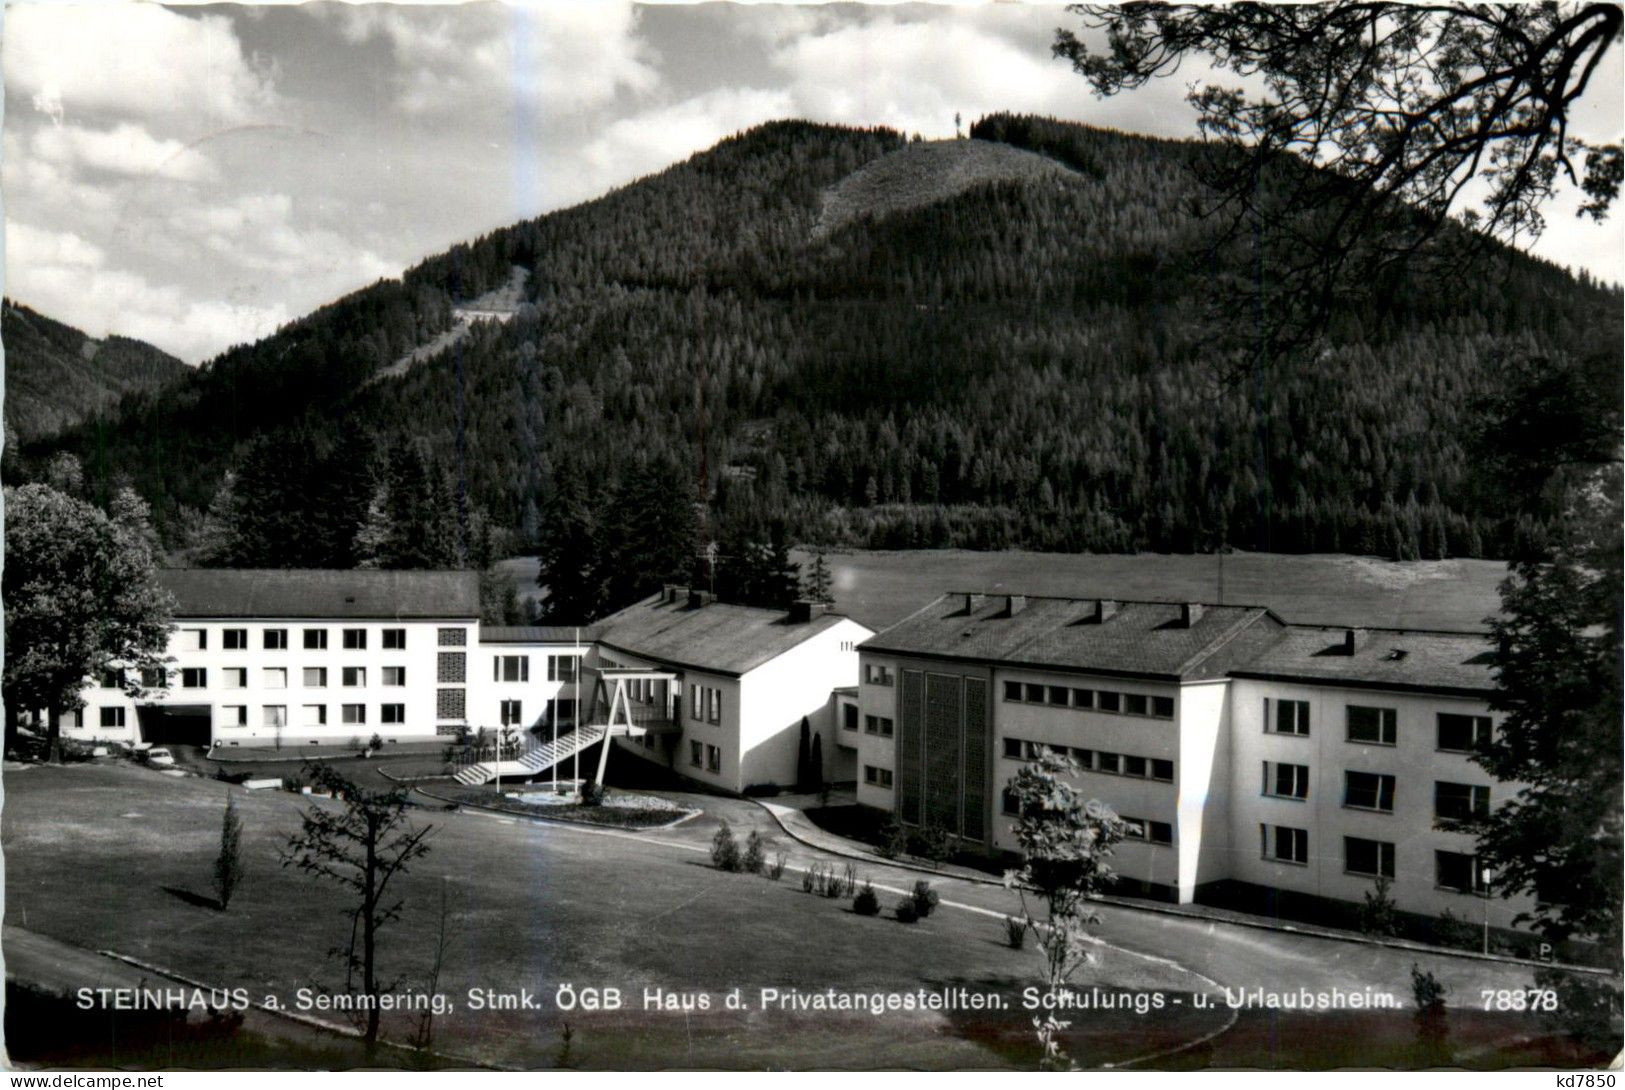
(305, 659)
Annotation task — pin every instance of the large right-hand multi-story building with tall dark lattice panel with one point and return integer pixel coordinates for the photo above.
(1241, 750)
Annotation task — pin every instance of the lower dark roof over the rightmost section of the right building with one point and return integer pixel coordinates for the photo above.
(1382, 659)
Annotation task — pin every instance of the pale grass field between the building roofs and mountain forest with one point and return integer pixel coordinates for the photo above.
(880, 589)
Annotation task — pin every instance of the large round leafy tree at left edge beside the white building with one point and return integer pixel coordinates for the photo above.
(80, 599)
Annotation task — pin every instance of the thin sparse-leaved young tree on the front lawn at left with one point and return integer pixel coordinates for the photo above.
(363, 847)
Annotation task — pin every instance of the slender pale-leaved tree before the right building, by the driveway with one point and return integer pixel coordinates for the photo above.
(1067, 847)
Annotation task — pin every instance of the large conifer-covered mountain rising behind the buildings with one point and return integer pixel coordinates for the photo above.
(1021, 363)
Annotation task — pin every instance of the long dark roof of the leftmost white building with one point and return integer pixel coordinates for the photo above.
(308, 594)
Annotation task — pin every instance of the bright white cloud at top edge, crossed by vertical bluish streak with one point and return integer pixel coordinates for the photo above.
(558, 58)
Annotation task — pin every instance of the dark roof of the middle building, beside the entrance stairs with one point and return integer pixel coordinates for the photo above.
(716, 638)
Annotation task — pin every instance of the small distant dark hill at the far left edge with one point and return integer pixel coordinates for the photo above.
(56, 376)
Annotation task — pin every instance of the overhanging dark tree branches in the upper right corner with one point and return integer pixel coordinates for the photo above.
(1366, 126)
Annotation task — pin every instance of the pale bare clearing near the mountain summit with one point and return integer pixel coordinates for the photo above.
(927, 173)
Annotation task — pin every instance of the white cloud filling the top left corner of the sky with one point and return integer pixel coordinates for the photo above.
(132, 61)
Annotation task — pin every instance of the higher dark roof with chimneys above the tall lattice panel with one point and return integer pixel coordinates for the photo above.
(1142, 639)
